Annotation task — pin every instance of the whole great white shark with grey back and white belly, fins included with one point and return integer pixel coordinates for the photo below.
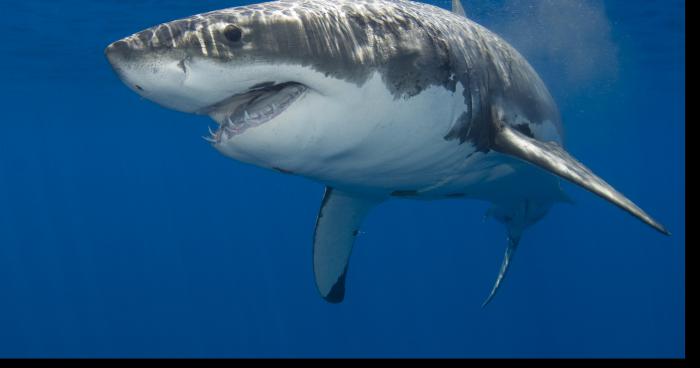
(376, 99)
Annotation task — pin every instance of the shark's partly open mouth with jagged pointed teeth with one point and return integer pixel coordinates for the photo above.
(257, 106)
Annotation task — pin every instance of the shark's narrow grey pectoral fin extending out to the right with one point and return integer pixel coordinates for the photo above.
(553, 158)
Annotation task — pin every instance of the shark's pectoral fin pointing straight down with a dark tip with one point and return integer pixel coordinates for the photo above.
(338, 224)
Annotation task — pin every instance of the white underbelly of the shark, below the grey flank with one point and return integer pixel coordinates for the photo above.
(368, 145)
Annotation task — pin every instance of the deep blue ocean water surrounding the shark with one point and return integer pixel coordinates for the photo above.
(124, 234)
